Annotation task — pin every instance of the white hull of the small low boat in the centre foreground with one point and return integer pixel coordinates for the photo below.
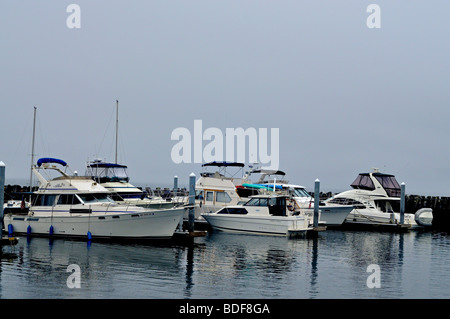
(267, 225)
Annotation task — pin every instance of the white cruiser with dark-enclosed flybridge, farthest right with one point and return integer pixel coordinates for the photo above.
(376, 200)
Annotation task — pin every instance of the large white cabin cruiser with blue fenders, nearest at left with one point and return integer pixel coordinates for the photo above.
(77, 206)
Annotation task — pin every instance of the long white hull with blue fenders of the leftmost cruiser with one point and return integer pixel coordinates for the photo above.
(136, 225)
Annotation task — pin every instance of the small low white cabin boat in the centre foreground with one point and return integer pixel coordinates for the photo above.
(264, 215)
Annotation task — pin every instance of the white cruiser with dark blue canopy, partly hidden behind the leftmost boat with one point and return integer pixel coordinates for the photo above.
(114, 177)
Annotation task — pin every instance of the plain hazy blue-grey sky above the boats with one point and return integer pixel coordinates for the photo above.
(346, 98)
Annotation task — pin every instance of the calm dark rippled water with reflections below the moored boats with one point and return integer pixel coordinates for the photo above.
(412, 265)
